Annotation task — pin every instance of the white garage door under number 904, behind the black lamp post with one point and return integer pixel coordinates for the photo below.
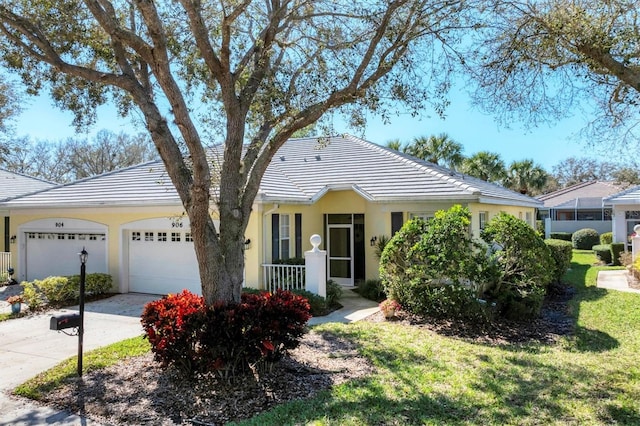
(56, 253)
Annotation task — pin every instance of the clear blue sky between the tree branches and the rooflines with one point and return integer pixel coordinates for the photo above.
(546, 145)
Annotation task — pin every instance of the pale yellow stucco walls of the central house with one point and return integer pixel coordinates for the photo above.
(377, 223)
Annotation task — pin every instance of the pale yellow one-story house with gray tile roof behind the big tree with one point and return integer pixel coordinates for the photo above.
(345, 189)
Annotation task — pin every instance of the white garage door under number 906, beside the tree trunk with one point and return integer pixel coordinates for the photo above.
(162, 262)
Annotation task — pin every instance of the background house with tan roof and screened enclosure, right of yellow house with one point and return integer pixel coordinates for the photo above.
(577, 206)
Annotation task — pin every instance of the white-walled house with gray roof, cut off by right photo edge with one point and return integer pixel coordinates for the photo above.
(626, 213)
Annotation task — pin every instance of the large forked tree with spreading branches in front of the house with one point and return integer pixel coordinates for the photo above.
(247, 74)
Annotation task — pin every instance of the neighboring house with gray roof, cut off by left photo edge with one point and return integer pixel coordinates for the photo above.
(12, 185)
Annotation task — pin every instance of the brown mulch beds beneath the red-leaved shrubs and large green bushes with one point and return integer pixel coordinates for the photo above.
(137, 391)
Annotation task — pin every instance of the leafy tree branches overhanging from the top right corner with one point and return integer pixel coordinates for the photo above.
(540, 59)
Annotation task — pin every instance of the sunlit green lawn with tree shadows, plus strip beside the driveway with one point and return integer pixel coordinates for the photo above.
(424, 378)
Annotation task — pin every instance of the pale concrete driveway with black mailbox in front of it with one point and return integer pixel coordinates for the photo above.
(28, 347)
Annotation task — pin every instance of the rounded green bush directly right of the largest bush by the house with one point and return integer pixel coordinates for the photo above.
(525, 263)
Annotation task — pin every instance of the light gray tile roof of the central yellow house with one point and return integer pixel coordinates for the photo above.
(302, 171)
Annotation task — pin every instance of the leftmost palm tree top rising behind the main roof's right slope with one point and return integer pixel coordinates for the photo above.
(440, 150)
